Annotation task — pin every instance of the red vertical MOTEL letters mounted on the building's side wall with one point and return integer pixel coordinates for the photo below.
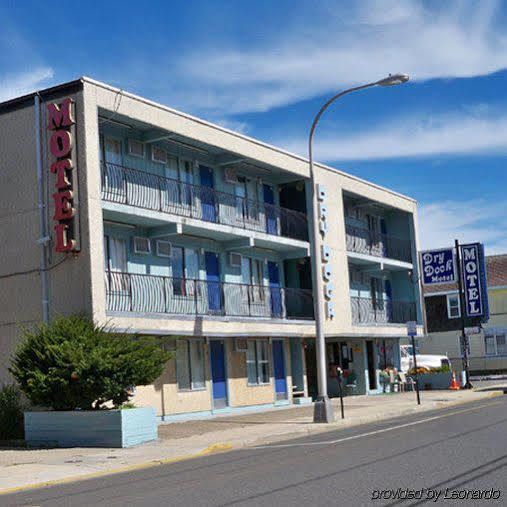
(60, 122)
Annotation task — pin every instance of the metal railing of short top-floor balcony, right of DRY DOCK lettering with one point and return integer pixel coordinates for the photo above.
(368, 242)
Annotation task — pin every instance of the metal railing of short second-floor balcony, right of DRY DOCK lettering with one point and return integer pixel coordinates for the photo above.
(366, 310)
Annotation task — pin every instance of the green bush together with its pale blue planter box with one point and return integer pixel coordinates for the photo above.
(84, 375)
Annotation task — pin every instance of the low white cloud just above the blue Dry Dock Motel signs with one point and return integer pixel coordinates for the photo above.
(440, 223)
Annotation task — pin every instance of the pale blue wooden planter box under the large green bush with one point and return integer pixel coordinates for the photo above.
(94, 428)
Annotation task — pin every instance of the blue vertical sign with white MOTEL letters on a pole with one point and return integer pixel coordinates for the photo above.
(474, 280)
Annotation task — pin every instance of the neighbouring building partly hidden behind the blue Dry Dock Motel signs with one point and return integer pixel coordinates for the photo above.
(488, 349)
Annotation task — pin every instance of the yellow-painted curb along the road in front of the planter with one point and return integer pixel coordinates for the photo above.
(219, 447)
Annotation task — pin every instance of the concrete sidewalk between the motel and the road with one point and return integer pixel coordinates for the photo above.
(24, 468)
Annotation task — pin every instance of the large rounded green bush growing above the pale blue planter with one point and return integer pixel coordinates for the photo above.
(73, 364)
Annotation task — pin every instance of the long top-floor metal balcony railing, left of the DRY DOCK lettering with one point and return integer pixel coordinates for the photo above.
(149, 191)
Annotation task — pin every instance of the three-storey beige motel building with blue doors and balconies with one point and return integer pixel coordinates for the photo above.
(159, 223)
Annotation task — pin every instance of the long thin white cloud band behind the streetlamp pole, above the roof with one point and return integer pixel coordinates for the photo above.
(456, 133)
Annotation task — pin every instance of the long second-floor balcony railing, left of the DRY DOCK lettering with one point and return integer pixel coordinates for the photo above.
(128, 292)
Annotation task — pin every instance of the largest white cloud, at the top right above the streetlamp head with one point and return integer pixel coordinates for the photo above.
(353, 46)
